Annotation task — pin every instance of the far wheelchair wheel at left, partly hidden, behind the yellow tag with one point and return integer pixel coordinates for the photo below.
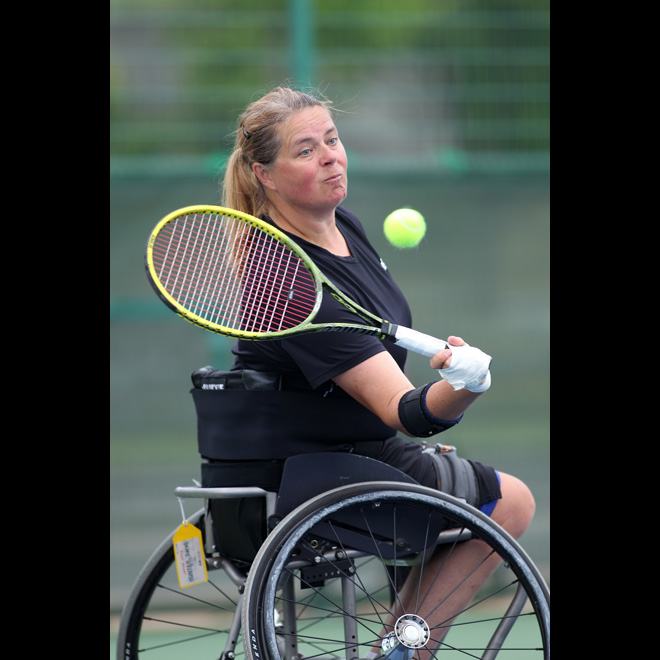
(162, 621)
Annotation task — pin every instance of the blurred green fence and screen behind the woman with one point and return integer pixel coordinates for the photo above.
(444, 107)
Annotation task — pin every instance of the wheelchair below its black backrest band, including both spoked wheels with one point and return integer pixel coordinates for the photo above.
(311, 562)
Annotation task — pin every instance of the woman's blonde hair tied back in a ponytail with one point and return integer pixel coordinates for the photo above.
(258, 141)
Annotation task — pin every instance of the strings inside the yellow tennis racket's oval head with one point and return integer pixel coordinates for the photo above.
(234, 274)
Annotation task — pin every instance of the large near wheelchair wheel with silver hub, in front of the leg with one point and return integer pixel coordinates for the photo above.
(328, 582)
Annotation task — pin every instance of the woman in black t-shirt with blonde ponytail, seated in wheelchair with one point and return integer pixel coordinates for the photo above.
(290, 168)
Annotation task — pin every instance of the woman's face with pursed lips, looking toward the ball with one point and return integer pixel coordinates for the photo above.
(309, 172)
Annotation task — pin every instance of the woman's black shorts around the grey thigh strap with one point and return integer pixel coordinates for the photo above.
(409, 457)
